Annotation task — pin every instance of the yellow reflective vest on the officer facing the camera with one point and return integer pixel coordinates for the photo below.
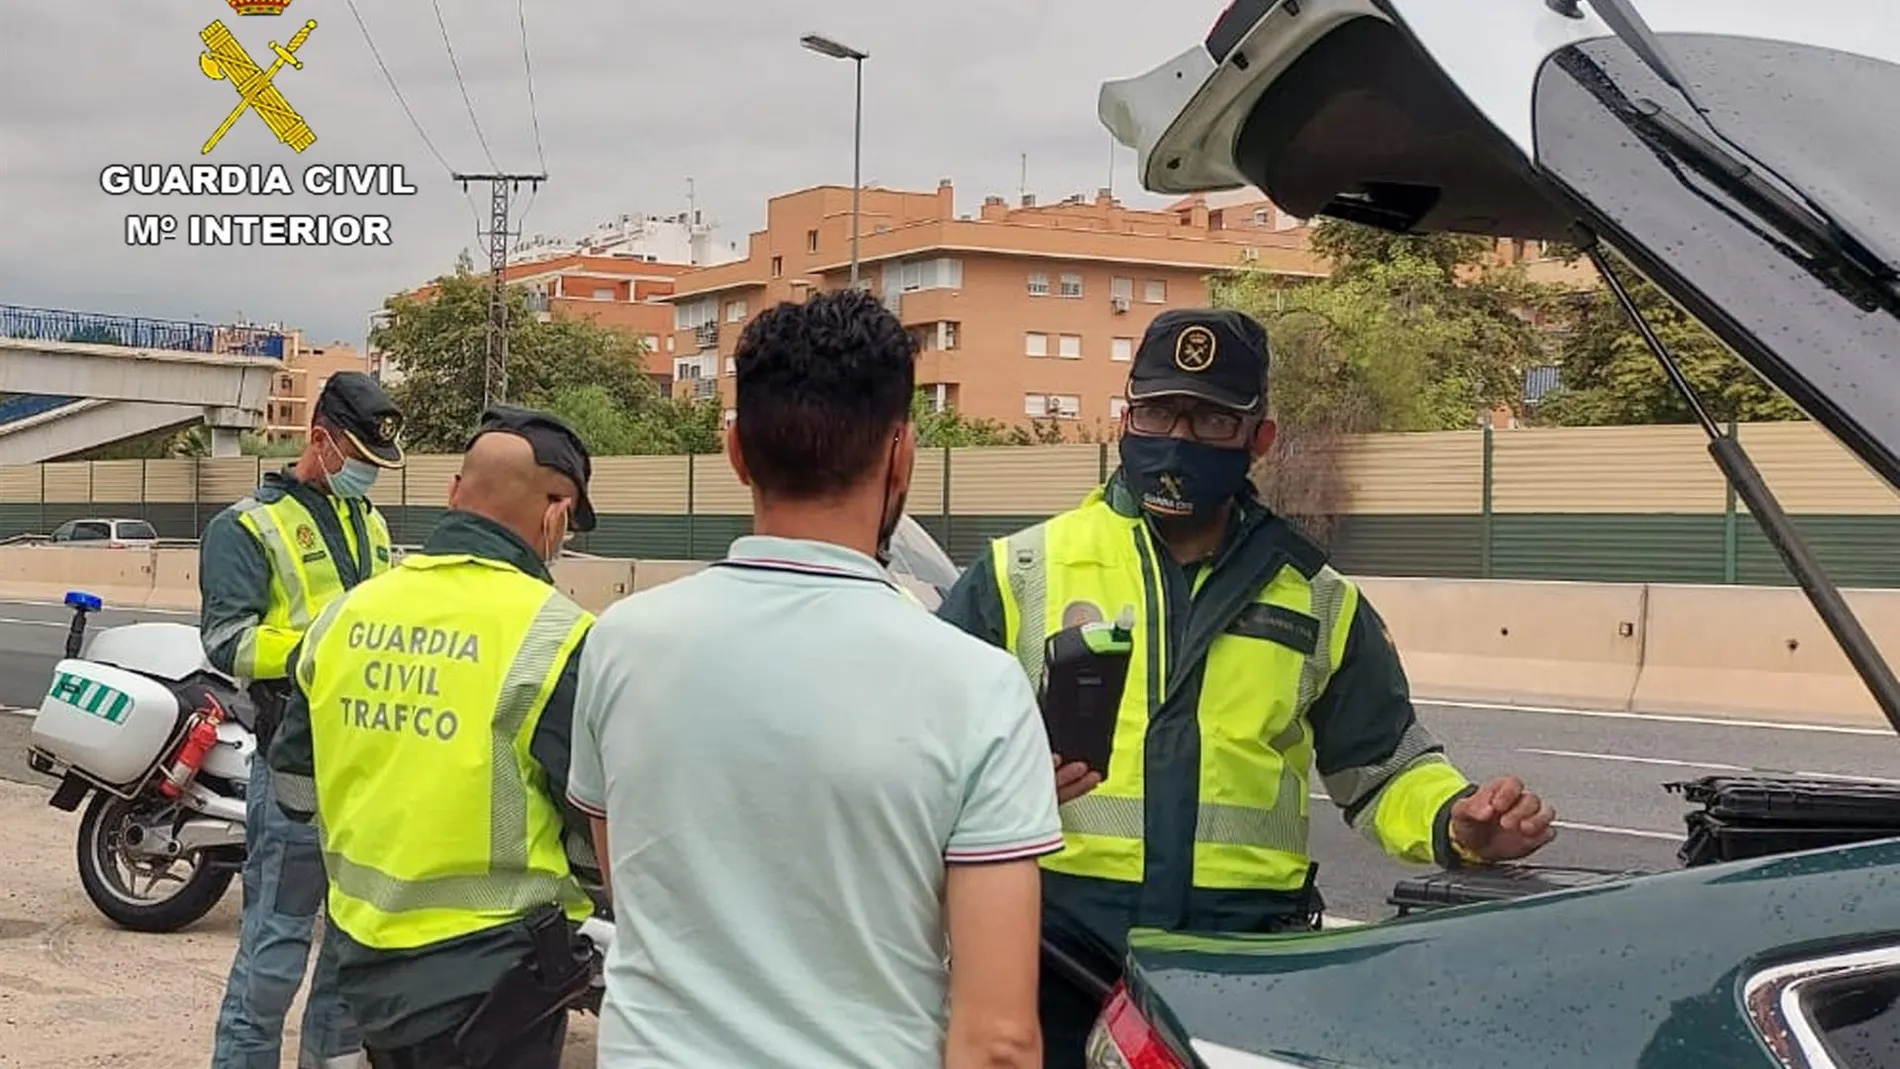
(1240, 753)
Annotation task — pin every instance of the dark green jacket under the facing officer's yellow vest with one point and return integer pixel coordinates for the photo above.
(1359, 724)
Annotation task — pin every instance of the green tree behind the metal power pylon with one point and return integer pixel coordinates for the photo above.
(442, 341)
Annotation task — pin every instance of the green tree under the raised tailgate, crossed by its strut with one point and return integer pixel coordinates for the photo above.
(1610, 375)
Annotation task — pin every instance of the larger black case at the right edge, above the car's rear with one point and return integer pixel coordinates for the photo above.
(1764, 816)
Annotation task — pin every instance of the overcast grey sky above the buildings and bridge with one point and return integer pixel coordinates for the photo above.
(634, 98)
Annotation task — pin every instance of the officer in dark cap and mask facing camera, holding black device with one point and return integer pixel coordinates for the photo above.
(1253, 662)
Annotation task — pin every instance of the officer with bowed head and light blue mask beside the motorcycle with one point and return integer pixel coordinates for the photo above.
(269, 565)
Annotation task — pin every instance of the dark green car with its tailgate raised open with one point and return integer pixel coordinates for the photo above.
(1730, 155)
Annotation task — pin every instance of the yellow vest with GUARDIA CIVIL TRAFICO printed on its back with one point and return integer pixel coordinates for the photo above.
(425, 694)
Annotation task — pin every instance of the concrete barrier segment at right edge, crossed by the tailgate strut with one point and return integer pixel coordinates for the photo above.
(1760, 652)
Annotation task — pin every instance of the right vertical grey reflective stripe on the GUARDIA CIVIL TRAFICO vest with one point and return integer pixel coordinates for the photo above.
(531, 677)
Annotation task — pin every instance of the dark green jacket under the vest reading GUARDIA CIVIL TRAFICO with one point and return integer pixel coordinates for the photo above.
(406, 998)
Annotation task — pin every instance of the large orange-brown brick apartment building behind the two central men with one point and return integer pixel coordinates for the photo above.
(1021, 312)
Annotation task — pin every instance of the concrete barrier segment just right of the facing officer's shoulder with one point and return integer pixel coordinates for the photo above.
(1510, 643)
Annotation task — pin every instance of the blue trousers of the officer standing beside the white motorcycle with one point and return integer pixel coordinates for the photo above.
(284, 890)
